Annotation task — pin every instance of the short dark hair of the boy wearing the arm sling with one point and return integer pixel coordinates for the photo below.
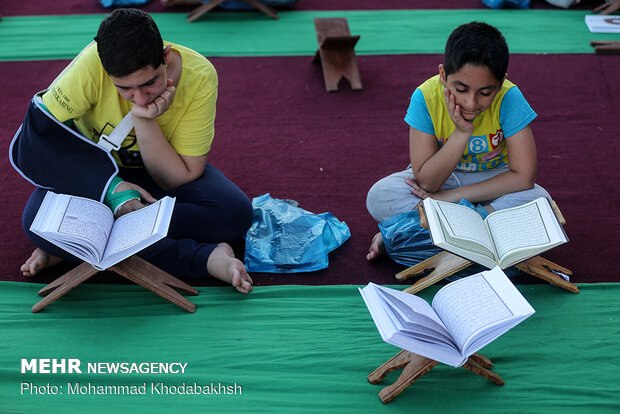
(129, 40)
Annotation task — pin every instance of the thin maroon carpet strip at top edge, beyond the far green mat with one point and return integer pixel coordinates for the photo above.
(25, 8)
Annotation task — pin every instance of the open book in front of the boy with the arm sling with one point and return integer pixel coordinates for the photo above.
(87, 229)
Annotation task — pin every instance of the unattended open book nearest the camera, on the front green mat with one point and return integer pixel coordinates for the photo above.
(465, 316)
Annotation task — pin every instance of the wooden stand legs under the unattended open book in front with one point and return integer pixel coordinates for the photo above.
(415, 366)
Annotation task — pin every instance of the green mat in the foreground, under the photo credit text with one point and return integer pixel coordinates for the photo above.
(295, 349)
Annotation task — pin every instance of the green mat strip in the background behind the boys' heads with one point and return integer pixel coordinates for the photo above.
(254, 34)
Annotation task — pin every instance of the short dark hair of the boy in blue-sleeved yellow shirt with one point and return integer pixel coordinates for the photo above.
(477, 44)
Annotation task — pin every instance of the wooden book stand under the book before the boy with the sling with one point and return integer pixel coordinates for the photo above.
(133, 268)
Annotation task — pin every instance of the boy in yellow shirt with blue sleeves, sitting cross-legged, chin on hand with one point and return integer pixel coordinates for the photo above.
(469, 134)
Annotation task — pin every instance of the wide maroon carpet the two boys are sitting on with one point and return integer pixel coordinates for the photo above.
(278, 131)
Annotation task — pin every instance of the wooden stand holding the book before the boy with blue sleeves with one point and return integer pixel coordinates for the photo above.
(445, 264)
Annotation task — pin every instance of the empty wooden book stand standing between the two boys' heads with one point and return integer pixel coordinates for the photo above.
(336, 53)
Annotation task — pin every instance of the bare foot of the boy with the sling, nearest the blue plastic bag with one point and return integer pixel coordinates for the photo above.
(223, 265)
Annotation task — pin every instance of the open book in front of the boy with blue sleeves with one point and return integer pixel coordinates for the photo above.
(503, 238)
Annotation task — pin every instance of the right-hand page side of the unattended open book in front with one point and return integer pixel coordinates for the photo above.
(479, 308)
